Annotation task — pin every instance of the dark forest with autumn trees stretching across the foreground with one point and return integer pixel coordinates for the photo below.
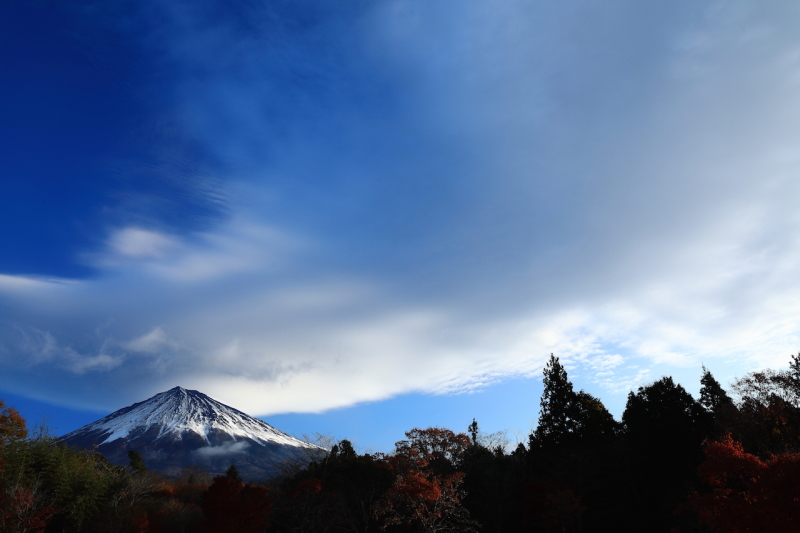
(728, 462)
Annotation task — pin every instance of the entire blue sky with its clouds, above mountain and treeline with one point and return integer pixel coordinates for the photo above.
(358, 218)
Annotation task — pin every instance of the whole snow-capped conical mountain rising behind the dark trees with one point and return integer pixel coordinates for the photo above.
(180, 428)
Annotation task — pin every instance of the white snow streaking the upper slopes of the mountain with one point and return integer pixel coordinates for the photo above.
(179, 410)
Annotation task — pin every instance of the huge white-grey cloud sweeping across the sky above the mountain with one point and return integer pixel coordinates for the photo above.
(608, 184)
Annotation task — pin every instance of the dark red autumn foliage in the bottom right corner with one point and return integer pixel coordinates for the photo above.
(748, 494)
